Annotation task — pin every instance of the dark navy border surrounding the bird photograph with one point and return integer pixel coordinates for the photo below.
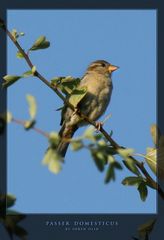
(36, 223)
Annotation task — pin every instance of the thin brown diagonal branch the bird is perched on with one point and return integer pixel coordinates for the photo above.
(140, 165)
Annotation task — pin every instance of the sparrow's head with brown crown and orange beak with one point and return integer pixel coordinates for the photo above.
(102, 67)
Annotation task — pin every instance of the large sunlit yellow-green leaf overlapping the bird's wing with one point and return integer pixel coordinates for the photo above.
(77, 95)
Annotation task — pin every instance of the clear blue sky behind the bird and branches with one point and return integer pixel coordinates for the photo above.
(126, 38)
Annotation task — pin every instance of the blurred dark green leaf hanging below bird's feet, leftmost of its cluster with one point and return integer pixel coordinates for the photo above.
(99, 159)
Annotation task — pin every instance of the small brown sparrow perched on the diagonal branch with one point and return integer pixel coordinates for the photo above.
(98, 82)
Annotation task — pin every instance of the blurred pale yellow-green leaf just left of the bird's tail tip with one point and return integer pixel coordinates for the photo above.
(53, 160)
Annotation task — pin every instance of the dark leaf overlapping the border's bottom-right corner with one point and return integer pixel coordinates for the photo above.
(146, 228)
